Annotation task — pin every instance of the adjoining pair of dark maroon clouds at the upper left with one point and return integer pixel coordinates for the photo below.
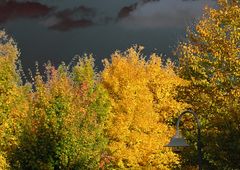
(79, 17)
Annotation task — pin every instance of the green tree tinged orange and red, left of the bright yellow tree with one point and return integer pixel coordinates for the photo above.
(65, 127)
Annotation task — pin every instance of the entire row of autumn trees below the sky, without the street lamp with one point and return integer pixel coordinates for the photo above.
(121, 117)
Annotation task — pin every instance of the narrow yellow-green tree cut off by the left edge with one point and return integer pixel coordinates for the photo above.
(13, 100)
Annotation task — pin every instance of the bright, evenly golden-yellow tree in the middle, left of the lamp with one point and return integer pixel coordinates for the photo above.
(142, 97)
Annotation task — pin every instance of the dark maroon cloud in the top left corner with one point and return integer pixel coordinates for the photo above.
(11, 10)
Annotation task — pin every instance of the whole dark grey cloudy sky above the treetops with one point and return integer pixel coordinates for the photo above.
(58, 30)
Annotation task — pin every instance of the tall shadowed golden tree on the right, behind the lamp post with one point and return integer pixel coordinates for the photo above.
(210, 60)
